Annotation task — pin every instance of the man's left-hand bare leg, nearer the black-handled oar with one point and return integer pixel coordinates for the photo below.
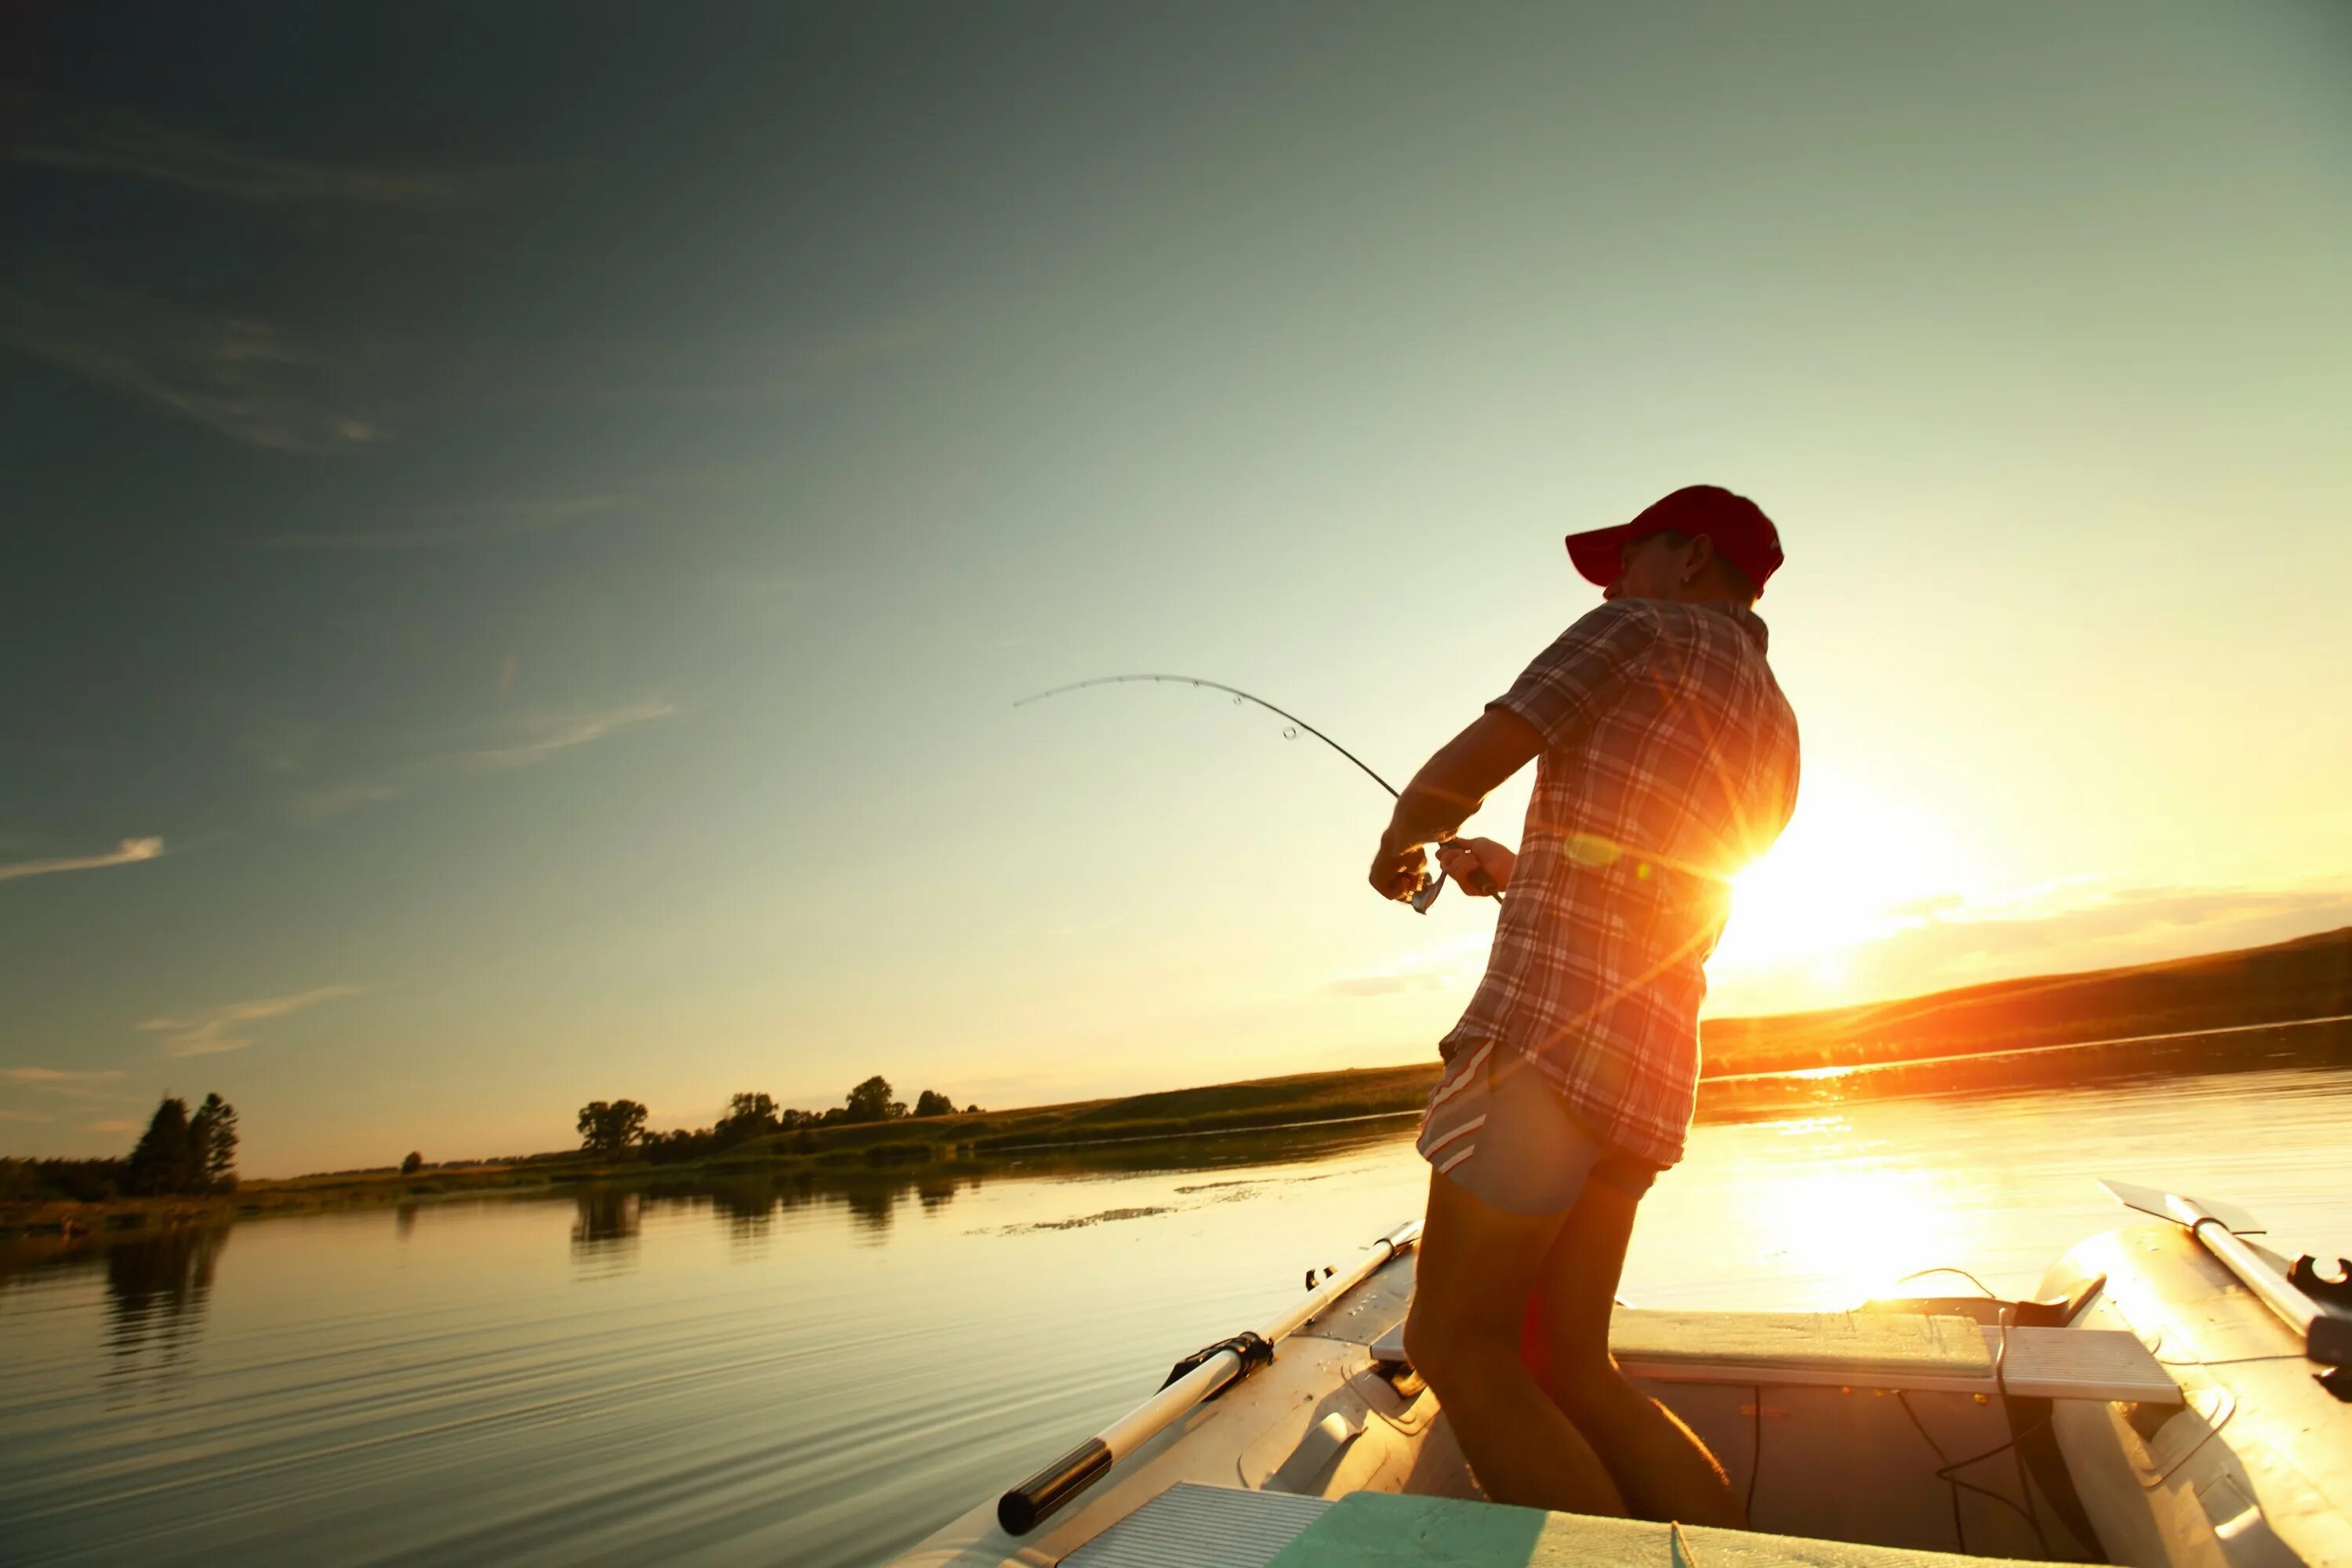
(1478, 1268)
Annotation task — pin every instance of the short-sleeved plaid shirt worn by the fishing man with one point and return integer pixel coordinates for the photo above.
(1669, 763)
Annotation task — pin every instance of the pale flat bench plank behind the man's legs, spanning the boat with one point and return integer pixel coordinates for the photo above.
(1895, 1351)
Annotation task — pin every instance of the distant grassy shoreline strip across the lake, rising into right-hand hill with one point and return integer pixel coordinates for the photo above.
(2207, 1014)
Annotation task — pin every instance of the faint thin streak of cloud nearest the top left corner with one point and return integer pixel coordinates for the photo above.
(121, 145)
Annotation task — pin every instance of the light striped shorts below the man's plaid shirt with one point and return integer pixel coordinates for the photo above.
(1506, 1137)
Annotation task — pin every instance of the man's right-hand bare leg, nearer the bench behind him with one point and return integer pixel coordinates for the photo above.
(1659, 1466)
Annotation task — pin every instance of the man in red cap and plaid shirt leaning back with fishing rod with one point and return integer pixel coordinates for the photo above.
(1666, 760)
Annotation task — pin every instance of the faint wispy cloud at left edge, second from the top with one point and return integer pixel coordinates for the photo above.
(236, 375)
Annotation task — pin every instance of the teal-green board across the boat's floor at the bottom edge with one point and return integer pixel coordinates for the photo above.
(1401, 1532)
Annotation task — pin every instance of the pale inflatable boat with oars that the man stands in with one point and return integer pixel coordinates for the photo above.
(2177, 1395)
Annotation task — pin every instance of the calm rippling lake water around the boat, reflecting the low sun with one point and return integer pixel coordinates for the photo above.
(824, 1374)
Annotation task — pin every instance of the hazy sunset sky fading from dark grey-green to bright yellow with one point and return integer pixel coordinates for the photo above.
(523, 542)
